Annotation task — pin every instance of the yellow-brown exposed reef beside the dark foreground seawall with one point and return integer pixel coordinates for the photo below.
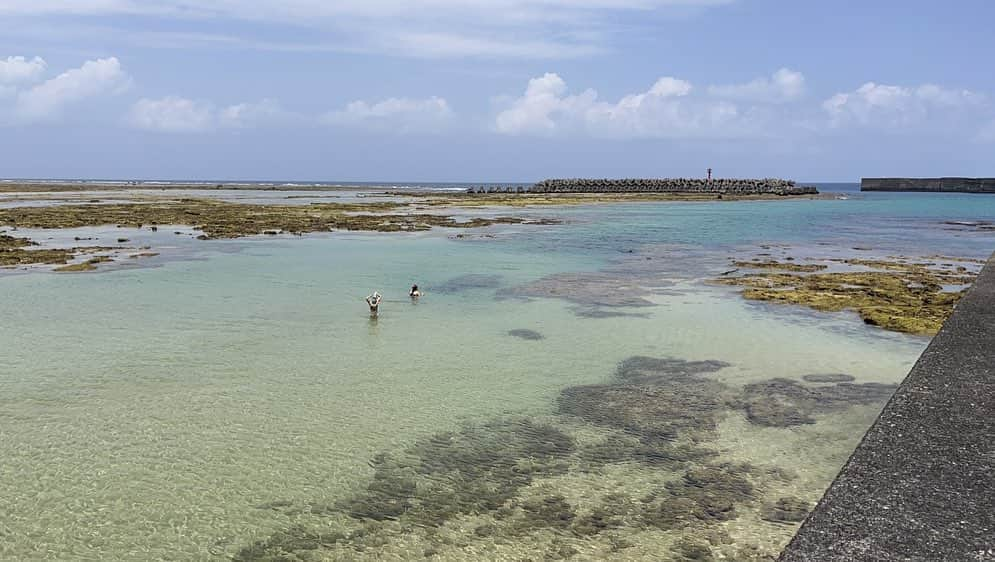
(898, 295)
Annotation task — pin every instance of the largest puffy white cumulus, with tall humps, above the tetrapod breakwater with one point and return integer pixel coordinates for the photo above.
(668, 109)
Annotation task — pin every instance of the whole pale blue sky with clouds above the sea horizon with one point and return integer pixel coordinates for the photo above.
(495, 90)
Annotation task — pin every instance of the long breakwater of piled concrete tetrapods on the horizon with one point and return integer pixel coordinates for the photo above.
(768, 186)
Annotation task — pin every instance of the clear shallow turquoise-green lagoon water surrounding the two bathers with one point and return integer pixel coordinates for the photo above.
(187, 410)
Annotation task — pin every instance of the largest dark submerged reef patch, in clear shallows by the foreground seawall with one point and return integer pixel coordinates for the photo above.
(502, 476)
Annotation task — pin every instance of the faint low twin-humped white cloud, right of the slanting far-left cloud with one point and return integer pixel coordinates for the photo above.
(174, 114)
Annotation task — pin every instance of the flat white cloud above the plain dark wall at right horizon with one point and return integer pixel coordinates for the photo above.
(898, 106)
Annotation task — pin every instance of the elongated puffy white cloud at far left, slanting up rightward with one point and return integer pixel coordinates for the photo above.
(49, 99)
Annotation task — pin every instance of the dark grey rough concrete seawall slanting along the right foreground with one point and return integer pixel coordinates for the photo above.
(921, 484)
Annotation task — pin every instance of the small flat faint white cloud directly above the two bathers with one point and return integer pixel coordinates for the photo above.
(394, 114)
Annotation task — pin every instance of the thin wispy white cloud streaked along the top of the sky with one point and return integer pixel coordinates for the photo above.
(422, 28)
